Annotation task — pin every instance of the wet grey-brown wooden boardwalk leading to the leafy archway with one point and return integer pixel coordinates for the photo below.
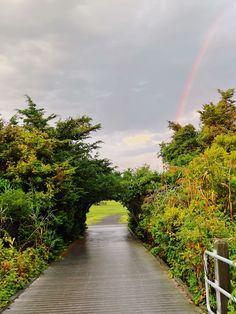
(107, 272)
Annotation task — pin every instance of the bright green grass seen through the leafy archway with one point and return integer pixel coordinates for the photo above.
(105, 209)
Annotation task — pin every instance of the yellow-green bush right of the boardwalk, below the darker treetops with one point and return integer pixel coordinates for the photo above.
(191, 207)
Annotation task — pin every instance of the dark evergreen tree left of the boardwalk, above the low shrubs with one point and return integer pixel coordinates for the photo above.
(56, 167)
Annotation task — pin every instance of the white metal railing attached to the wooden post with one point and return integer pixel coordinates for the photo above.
(215, 284)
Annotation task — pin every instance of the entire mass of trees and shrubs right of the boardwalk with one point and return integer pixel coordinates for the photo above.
(180, 213)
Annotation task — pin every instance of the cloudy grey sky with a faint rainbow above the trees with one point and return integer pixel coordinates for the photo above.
(129, 64)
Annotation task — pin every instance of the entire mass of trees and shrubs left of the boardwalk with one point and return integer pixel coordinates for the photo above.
(49, 178)
